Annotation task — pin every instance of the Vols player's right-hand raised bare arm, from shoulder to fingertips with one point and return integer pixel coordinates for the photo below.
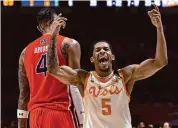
(149, 67)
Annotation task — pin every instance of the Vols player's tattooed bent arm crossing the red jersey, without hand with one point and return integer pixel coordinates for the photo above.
(63, 73)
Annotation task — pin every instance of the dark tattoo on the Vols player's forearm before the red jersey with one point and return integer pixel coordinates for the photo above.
(52, 61)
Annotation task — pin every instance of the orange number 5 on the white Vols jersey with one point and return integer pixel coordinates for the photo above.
(106, 108)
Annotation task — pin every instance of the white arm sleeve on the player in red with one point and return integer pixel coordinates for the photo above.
(77, 101)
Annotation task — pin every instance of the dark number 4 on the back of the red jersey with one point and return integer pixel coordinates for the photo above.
(42, 66)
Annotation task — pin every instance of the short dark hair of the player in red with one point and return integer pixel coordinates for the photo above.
(45, 15)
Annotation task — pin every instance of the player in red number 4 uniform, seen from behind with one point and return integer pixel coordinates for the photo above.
(46, 98)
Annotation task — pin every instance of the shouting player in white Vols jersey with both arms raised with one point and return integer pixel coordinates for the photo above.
(107, 90)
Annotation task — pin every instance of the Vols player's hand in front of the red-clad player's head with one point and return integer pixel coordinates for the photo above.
(57, 24)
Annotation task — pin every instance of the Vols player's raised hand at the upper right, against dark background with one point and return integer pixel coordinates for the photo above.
(155, 17)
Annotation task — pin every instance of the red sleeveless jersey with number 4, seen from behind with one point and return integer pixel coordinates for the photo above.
(45, 90)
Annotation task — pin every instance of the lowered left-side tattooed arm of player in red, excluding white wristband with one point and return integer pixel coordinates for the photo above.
(24, 91)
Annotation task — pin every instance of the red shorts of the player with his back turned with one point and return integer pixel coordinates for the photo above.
(48, 118)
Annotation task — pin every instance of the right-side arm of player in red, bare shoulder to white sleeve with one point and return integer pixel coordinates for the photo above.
(71, 51)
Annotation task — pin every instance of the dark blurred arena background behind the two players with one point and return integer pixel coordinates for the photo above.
(128, 29)
